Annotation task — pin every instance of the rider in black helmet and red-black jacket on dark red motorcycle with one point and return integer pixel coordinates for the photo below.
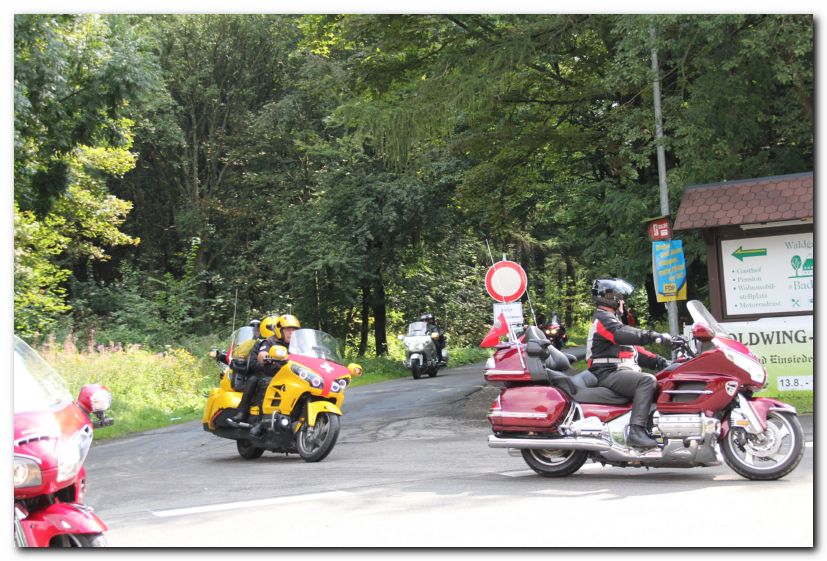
(615, 359)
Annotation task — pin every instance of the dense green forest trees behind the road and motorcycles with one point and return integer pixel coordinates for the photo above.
(176, 174)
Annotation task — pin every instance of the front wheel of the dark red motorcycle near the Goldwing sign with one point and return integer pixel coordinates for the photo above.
(770, 455)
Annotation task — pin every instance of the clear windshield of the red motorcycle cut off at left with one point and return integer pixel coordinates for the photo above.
(37, 386)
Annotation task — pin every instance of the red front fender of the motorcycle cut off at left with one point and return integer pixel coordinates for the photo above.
(59, 519)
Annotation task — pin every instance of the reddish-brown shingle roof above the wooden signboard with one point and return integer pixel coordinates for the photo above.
(746, 201)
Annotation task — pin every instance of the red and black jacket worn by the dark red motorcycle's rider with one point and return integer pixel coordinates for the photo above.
(611, 344)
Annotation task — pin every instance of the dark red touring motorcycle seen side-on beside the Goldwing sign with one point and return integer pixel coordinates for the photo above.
(704, 404)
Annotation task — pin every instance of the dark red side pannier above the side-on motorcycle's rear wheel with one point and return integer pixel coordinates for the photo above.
(528, 408)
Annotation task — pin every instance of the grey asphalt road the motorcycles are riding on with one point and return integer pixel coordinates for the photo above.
(412, 468)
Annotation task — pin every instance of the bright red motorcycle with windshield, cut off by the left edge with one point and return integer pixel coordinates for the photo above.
(52, 435)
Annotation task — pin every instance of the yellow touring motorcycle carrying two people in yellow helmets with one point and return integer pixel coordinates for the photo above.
(300, 409)
